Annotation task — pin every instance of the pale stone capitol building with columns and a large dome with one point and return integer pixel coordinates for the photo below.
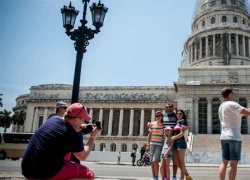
(216, 55)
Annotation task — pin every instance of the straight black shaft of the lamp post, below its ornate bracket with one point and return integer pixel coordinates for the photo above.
(77, 77)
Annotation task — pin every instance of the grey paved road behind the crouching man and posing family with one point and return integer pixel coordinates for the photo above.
(110, 171)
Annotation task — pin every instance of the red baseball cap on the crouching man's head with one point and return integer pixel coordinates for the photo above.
(78, 110)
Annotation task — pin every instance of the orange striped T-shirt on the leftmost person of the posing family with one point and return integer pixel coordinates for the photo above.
(157, 133)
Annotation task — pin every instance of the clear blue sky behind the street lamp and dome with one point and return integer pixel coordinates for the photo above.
(140, 44)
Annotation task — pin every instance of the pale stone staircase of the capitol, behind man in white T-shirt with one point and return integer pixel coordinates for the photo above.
(211, 143)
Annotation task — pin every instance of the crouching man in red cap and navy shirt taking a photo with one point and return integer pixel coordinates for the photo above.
(45, 155)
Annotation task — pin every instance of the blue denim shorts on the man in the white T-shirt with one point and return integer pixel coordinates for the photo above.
(231, 149)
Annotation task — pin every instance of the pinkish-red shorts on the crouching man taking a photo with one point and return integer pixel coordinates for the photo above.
(73, 170)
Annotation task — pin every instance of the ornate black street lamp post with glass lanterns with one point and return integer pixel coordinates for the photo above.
(82, 35)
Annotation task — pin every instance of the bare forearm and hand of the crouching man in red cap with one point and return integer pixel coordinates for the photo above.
(88, 146)
